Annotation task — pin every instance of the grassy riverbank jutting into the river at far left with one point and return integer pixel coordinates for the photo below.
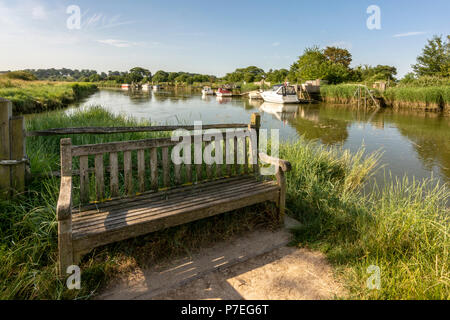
(39, 96)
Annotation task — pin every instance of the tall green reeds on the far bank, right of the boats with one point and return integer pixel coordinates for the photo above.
(432, 98)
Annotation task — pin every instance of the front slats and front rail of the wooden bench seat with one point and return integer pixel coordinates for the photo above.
(167, 214)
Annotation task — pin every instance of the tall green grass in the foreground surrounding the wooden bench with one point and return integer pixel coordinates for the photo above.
(402, 228)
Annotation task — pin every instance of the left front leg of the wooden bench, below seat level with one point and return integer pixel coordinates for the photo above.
(65, 252)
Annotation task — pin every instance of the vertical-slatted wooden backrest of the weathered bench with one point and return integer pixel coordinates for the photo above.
(126, 168)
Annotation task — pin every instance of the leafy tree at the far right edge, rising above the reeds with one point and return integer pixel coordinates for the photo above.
(435, 58)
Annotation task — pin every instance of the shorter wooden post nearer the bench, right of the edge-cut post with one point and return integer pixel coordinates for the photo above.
(17, 134)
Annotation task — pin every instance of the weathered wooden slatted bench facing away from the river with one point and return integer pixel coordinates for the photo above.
(147, 192)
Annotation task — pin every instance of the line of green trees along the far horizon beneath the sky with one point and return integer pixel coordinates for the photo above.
(331, 64)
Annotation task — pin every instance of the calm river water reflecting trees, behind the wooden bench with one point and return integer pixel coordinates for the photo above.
(414, 143)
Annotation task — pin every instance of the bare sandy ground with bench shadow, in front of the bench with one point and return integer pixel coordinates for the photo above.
(258, 266)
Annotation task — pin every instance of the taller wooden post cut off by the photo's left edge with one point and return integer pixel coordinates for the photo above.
(5, 151)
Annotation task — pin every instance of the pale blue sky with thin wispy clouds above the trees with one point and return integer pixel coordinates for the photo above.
(212, 37)
